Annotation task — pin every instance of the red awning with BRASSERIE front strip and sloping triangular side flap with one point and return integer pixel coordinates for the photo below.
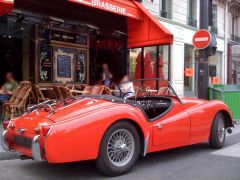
(143, 28)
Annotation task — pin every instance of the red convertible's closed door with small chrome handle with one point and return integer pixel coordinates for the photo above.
(173, 129)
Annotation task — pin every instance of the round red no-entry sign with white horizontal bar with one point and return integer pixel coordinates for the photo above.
(202, 39)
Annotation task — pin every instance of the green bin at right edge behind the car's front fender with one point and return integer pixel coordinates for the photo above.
(230, 94)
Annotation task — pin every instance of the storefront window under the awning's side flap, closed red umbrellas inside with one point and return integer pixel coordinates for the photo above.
(153, 63)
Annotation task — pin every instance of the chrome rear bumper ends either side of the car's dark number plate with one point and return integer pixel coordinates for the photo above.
(35, 147)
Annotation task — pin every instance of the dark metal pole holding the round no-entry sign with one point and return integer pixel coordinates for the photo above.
(203, 75)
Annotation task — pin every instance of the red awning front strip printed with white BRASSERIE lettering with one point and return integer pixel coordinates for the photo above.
(126, 8)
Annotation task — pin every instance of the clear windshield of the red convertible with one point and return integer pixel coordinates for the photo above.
(144, 87)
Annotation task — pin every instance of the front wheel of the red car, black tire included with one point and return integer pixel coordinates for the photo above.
(218, 132)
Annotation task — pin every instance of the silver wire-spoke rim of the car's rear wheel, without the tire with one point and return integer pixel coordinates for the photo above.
(120, 147)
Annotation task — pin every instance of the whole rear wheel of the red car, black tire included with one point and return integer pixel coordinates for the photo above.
(118, 156)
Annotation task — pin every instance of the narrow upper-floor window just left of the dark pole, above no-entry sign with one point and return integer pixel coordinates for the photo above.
(192, 8)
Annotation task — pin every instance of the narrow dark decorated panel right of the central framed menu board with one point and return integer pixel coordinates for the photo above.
(81, 67)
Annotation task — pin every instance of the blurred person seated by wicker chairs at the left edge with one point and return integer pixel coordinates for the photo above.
(7, 89)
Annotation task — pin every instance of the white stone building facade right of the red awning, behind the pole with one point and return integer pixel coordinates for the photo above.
(181, 17)
